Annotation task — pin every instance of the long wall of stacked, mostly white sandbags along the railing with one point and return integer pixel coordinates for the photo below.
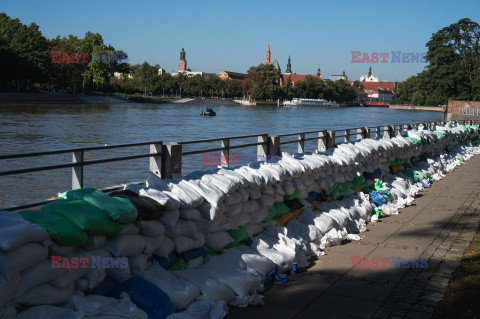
(224, 232)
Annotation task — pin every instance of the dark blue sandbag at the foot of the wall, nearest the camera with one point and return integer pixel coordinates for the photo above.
(147, 297)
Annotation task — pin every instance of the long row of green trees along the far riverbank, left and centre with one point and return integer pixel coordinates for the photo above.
(31, 62)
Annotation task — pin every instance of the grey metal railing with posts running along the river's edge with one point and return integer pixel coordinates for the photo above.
(166, 159)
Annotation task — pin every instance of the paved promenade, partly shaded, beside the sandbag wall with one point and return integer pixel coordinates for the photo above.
(438, 226)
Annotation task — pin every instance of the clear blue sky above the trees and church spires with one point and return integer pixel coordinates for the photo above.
(233, 35)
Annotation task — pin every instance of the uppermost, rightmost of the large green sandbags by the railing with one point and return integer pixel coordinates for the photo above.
(119, 209)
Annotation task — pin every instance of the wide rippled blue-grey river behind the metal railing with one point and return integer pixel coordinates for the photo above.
(28, 128)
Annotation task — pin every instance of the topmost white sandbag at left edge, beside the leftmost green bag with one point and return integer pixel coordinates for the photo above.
(16, 231)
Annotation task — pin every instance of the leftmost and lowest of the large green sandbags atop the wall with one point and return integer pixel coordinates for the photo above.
(62, 230)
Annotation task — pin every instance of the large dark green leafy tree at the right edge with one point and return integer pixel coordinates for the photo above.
(453, 70)
